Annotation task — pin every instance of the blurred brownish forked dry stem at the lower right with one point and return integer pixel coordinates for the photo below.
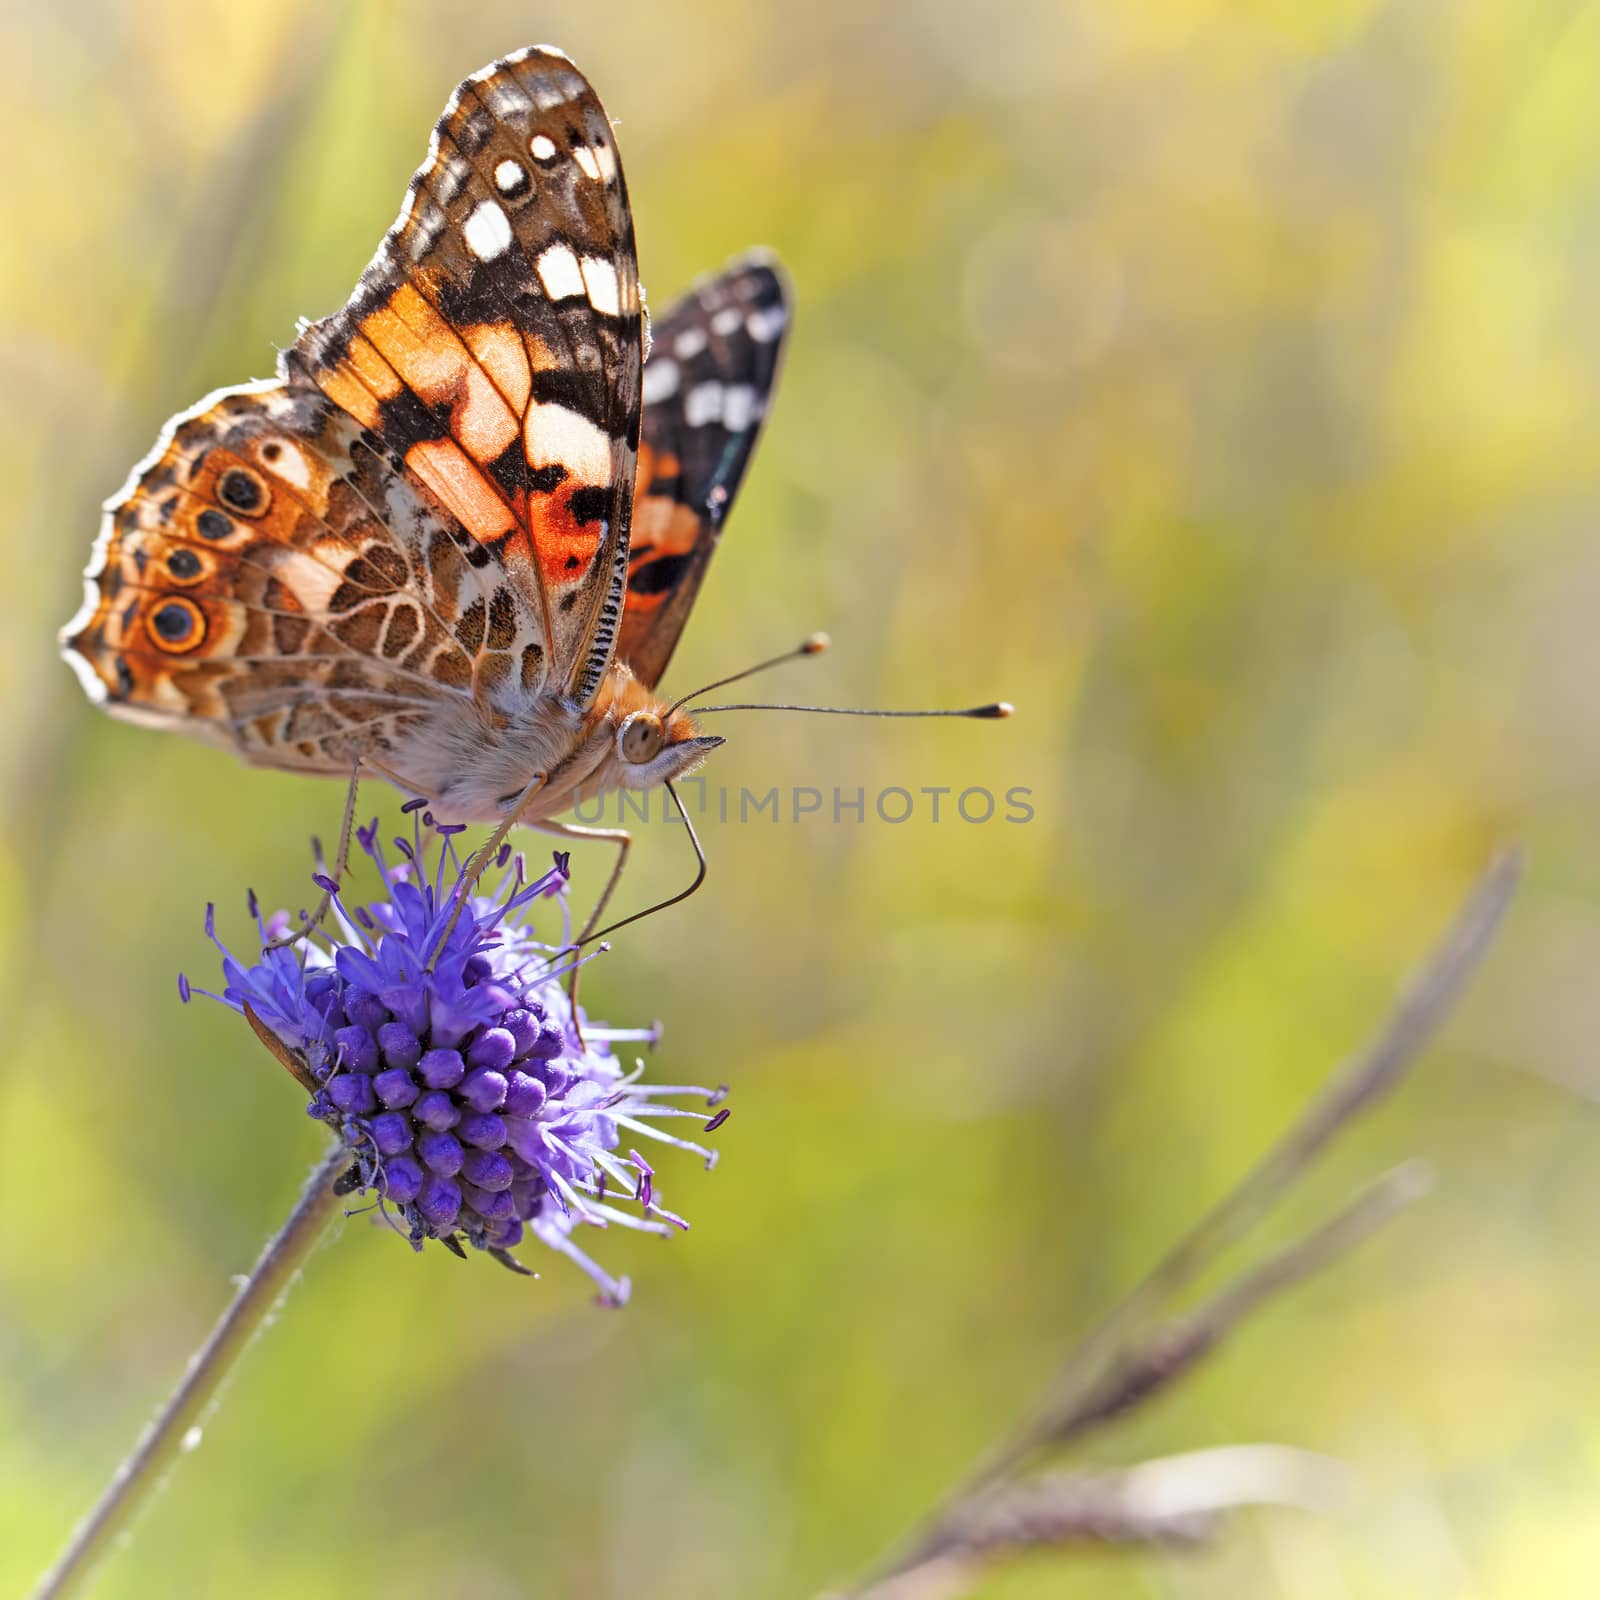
(1002, 1511)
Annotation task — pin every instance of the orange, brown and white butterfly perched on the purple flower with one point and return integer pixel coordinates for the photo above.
(457, 538)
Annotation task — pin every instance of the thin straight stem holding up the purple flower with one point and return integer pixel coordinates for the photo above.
(146, 1470)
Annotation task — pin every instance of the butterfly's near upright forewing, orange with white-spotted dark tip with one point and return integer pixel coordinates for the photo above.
(494, 351)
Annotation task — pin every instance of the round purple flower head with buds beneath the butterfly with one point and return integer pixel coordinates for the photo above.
(447, 1057)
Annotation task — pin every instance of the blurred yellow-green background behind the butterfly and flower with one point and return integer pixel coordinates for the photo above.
(1218, 383)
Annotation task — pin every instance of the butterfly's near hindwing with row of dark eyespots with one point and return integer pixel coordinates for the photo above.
(266, 585)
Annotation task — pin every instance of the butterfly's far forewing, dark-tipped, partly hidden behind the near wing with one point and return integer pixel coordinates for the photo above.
(708, 385)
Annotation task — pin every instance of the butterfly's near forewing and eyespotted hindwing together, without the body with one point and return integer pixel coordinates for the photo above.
(425, 518)
